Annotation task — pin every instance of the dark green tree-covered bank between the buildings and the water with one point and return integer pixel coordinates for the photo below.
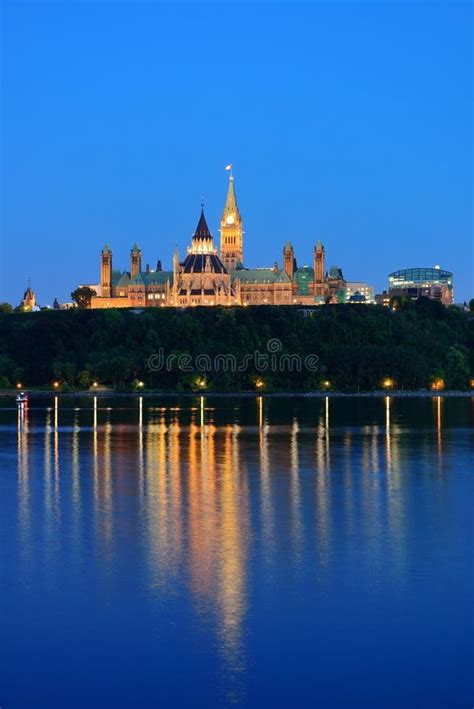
(355, 347)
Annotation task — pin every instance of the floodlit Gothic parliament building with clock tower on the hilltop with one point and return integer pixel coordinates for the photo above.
(210, 276)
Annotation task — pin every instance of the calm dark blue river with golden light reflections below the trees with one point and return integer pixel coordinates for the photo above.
(210, 552)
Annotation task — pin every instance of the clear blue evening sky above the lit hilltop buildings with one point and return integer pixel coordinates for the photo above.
(345, 122)
